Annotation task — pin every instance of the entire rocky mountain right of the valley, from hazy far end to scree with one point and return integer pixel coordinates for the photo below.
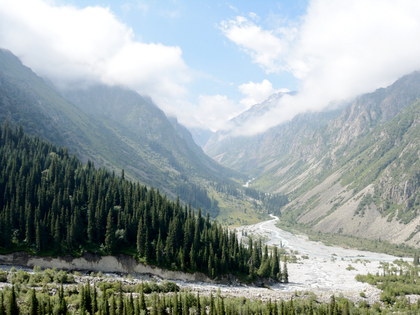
(354, 170)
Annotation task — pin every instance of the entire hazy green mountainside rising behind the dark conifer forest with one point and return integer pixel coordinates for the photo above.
(115, 128)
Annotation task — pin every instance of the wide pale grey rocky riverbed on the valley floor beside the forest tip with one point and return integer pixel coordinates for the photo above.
(320, 269)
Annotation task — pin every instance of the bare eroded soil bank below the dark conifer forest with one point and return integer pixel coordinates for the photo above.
(91, 262)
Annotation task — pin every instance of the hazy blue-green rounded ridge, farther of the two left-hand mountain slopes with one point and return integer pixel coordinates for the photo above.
(138, 120)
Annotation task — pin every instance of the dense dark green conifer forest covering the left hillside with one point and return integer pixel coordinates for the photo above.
(51, 203)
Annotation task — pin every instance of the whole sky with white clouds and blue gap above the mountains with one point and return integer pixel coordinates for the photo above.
(207, 61)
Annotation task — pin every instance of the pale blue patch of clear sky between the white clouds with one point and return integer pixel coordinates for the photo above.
(194, 26)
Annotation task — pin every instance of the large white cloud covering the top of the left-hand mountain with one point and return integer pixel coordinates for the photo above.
(69, 44)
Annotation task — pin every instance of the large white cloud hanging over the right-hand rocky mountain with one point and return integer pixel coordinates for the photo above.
(339, 50)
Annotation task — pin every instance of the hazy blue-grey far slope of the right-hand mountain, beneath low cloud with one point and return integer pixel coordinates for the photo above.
(263, 153)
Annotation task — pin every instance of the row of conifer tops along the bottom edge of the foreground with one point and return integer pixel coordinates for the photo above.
(89, 299)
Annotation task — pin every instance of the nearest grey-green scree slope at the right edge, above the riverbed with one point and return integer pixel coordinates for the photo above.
(374, 191)
